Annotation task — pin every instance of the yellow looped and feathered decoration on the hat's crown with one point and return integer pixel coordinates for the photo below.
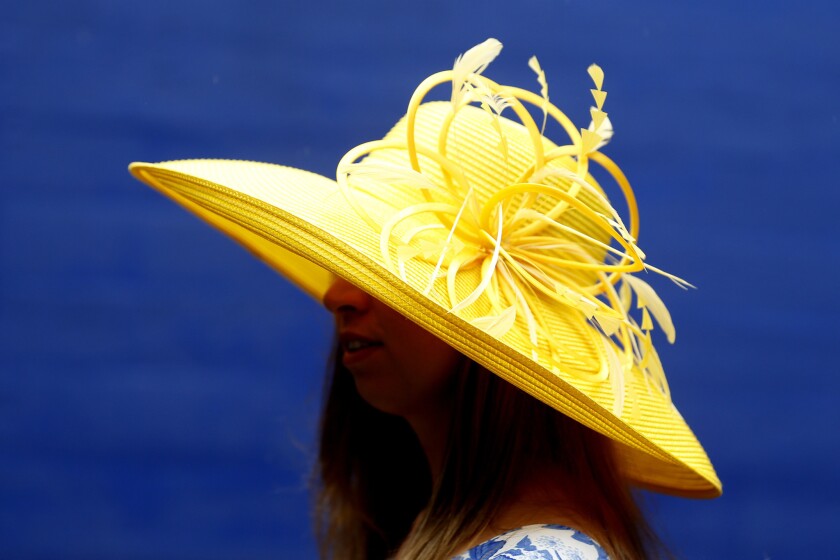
(526, 252)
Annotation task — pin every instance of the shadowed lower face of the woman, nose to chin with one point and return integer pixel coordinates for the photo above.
(399, 368)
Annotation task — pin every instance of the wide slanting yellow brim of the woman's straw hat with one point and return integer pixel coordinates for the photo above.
(297, 222)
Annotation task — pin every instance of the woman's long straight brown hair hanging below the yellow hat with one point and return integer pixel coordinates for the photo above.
(375, 484)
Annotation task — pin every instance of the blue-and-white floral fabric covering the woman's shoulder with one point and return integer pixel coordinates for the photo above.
(556, 542)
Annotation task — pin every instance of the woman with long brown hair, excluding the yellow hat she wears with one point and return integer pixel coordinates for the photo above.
(490, 457)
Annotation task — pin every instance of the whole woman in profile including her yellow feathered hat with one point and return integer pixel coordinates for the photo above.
(496, 392)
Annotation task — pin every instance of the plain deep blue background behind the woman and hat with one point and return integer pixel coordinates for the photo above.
(160, 388)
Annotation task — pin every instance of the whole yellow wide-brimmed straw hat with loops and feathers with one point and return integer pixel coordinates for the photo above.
(490, 236)
